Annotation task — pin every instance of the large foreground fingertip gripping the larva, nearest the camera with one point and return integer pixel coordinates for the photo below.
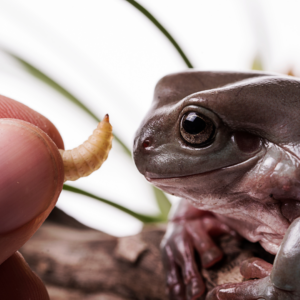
(31, 180)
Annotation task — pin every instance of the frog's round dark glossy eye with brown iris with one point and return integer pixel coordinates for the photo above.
(197, 129)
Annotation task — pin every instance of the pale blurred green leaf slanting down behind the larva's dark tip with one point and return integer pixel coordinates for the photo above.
(46, 79)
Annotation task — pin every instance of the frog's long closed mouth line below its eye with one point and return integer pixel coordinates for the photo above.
(244, 165)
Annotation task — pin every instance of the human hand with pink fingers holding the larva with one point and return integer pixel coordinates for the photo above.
(31, 180)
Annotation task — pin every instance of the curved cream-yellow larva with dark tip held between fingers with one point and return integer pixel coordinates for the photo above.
(88, 157)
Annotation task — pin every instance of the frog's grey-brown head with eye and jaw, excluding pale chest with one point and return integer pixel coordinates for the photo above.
(207, 129)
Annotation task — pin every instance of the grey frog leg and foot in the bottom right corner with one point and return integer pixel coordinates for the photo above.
(281, 284)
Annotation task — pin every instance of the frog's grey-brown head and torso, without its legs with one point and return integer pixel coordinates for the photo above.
(230, 143)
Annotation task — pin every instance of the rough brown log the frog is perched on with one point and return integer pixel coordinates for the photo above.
(77, 262)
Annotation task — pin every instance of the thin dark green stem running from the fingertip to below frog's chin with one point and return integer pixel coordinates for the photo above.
(143, 218)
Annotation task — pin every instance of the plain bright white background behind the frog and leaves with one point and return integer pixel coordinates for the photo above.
(110, 56)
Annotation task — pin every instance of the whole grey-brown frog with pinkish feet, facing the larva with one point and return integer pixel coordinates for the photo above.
(244, 178)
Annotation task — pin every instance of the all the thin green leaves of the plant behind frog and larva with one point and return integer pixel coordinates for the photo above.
(162, 201)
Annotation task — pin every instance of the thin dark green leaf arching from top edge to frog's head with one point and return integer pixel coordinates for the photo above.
(162, 29)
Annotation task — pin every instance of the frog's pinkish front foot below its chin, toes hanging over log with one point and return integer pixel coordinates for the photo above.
(190, 229)
